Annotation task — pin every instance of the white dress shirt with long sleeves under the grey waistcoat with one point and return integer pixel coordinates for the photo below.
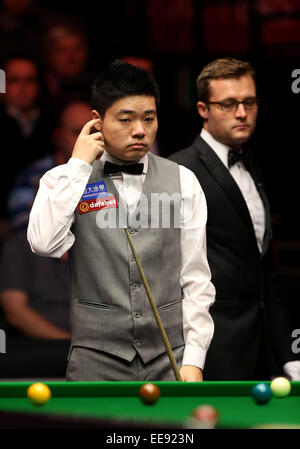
(52, 216)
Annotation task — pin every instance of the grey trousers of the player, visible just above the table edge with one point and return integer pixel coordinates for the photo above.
(87, 364)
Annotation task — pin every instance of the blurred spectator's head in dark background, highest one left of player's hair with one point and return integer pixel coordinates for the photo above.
(67, 77)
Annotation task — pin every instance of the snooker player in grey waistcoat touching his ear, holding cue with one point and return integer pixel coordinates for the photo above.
(111, 182)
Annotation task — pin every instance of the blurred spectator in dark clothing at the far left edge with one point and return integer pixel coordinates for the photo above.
(25, 127)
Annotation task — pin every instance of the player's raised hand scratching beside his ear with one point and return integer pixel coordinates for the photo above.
(89, 147)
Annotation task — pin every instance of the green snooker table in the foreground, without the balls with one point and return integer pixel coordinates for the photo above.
(117, 404)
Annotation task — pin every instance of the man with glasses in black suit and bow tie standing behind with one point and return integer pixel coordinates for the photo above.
(251, 320)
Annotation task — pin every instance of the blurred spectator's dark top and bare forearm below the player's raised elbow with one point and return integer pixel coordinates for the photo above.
(35, 294)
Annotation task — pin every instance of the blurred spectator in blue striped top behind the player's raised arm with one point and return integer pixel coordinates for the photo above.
(20, 199)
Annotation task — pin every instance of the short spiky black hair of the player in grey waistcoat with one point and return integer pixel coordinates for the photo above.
(118, 80)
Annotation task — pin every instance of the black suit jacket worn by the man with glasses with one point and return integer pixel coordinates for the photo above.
(248, 309)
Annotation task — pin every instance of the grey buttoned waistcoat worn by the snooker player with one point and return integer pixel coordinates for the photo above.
(111, 311)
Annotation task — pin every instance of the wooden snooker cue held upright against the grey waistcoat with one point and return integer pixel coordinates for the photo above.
(155, 311)
